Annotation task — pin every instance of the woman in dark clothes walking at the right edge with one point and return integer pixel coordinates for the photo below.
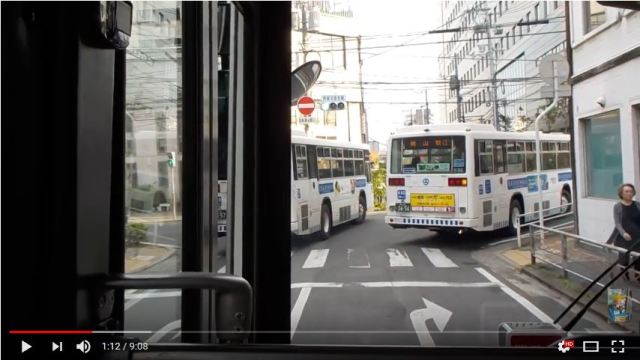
(626, 215)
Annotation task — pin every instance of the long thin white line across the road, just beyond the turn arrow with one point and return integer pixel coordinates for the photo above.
(398, 284)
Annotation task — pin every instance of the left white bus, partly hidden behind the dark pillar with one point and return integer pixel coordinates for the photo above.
(330, 185)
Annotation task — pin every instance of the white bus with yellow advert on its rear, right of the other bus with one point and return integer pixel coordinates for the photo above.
(456, 177)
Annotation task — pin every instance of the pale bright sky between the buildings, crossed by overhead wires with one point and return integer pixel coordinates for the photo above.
(395, 21)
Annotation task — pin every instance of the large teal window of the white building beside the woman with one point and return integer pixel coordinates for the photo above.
(603, 171)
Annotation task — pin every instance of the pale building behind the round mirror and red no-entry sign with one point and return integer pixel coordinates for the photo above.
(324, 31)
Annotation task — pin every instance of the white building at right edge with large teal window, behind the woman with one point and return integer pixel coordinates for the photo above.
(606, 105)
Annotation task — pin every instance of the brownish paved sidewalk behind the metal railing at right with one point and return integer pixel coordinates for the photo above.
(584, 263)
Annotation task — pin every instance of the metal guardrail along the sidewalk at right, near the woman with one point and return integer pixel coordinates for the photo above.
(535, 228)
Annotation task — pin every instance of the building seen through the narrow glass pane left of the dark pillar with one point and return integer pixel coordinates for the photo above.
(153, 110)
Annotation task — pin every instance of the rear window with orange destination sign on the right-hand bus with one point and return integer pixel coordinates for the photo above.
(428, 155)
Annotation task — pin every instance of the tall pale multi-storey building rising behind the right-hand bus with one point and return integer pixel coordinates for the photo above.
(505, 39)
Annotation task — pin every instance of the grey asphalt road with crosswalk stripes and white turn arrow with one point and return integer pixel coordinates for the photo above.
(372, 285)
